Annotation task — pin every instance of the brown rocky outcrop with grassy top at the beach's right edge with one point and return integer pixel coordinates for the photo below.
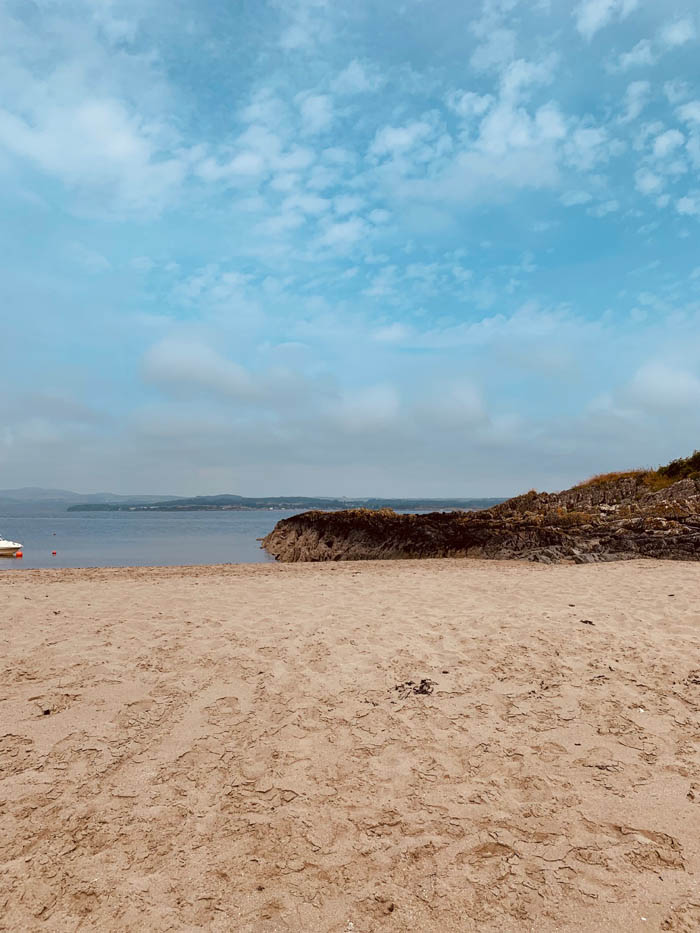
(606, 519)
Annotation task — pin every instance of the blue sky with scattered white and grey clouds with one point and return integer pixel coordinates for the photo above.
(327, 248)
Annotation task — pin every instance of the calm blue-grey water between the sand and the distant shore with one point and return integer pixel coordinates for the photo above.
(129, 539)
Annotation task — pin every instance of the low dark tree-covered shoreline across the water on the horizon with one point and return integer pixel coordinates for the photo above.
(240, 503)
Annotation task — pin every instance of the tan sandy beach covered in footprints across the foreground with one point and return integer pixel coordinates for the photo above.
(438, 746)
